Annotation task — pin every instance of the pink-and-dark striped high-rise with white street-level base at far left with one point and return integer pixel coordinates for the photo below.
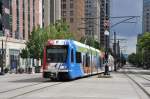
(18, 17)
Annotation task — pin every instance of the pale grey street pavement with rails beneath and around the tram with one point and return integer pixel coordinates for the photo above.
(33, 86)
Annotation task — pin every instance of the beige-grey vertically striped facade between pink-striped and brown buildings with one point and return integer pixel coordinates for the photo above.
(51, 11)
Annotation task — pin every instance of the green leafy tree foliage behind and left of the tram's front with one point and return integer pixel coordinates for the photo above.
(39, 37)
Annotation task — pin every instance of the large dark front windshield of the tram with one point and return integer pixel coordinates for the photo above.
(56, 54)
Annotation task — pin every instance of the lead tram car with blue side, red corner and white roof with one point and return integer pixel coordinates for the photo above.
(69, 59)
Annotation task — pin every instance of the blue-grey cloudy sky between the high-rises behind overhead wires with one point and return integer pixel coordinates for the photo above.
(128, 30)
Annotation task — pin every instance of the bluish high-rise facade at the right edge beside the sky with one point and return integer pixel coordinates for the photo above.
(146, 16)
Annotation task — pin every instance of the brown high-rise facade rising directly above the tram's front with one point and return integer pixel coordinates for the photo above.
(72, 11)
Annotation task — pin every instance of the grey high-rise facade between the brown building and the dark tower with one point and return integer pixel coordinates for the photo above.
(92, 19)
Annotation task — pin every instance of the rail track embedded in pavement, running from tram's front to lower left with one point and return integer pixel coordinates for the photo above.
(21, 91)
